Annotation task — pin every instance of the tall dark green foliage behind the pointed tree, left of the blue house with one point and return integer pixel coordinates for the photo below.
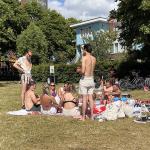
(15, 18)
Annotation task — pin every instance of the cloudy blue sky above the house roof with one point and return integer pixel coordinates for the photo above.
(83, 9)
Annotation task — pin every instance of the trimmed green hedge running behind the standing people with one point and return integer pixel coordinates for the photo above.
(65, 72)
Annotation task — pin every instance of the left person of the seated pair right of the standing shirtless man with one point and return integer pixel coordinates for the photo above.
(108, 88)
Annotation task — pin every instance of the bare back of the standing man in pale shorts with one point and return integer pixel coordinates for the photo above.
(88, 65)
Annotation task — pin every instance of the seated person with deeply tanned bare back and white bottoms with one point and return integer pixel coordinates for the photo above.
(48, 103)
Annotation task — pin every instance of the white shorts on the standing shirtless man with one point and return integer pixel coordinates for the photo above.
(86, 86)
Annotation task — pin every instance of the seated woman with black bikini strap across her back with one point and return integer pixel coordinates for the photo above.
(69, 102)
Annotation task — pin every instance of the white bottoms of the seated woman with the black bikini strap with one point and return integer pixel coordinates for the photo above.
(71, 112)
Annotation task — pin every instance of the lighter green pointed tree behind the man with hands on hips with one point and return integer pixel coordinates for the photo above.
(33, 38)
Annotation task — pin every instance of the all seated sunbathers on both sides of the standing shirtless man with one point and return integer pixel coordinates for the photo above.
(66, 100)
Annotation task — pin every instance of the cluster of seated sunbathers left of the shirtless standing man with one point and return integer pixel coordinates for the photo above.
(51, 102)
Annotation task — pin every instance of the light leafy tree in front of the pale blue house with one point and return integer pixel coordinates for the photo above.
(101, 43)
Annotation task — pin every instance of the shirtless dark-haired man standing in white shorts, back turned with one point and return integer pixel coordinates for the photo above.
(86, 84)
